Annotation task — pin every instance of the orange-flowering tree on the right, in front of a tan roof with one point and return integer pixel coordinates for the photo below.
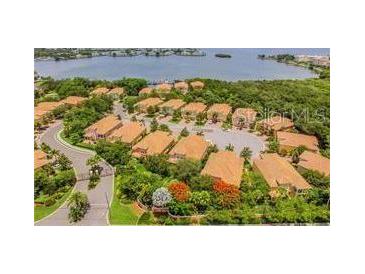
(227, 195)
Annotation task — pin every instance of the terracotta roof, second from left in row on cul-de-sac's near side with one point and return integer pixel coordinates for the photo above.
(128, 132)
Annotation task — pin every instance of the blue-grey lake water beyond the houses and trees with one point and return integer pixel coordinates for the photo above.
(243, 65)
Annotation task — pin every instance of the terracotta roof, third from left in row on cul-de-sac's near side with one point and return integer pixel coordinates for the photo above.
(155, 143)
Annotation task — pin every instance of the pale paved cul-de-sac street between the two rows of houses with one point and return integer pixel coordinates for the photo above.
(212, 132)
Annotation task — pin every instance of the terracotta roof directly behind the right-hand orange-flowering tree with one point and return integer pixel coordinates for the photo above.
(226, 166)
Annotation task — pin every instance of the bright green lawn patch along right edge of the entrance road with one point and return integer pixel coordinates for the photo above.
(121, 213)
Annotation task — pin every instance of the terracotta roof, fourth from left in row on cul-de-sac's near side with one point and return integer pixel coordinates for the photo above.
(192, 147)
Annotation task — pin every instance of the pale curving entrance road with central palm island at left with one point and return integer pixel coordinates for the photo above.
(98, 197)
